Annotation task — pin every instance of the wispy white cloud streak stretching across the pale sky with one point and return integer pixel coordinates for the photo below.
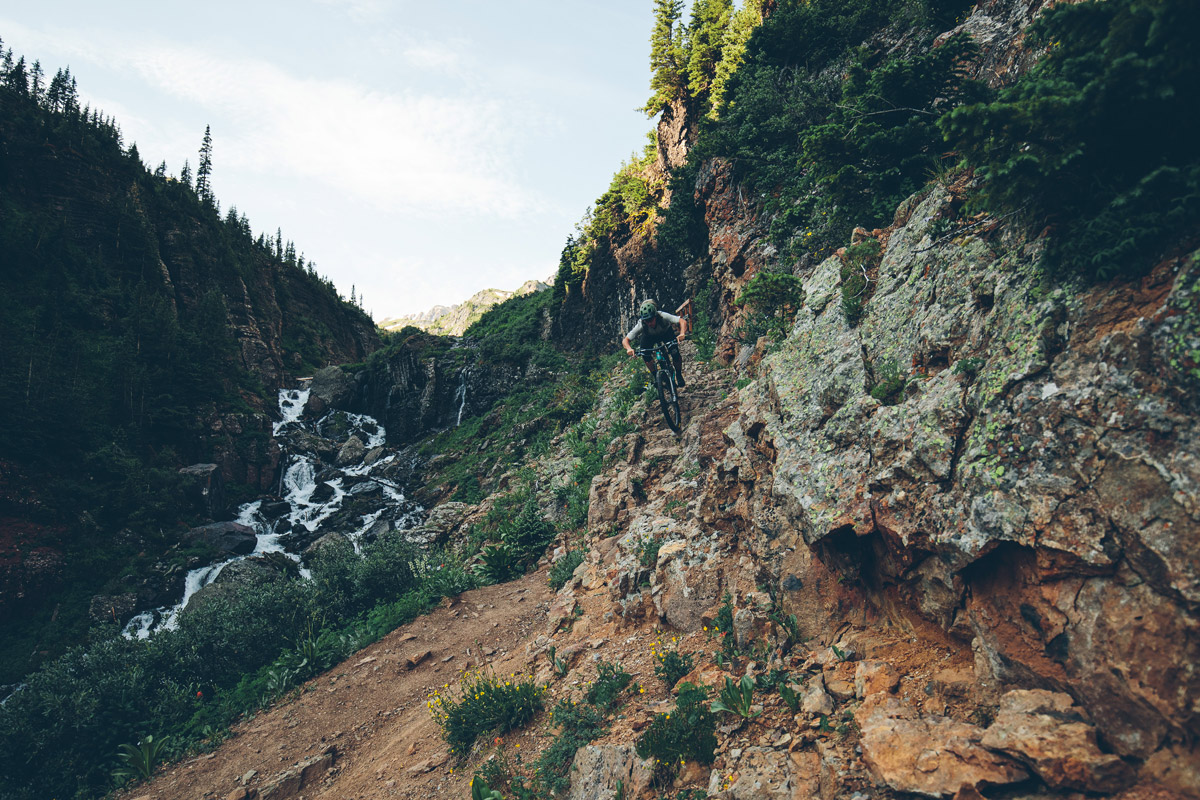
(409, 152)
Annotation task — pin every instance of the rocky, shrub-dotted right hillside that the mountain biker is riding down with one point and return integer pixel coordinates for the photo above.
(929, 527)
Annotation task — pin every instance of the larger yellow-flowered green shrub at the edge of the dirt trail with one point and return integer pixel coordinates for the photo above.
(485, 705)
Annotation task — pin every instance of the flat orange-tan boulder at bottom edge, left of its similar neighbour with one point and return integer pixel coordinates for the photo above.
(933, 756)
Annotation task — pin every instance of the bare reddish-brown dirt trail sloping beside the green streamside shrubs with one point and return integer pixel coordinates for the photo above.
(370, 711)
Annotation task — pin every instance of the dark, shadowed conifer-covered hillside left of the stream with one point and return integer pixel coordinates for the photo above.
(142, 333)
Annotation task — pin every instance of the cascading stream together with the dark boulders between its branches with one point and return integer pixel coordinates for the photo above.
(314, 495)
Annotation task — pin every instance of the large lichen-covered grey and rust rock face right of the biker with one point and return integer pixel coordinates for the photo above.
(1035, 486)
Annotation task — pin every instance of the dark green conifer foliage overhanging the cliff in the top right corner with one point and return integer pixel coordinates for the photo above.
(1095, 140)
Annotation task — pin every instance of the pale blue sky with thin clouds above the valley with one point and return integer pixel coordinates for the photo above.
(417, 152)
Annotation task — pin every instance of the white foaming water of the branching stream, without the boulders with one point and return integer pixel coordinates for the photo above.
(298, 486)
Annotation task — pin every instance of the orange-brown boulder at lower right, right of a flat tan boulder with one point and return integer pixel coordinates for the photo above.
(1047, 732)
